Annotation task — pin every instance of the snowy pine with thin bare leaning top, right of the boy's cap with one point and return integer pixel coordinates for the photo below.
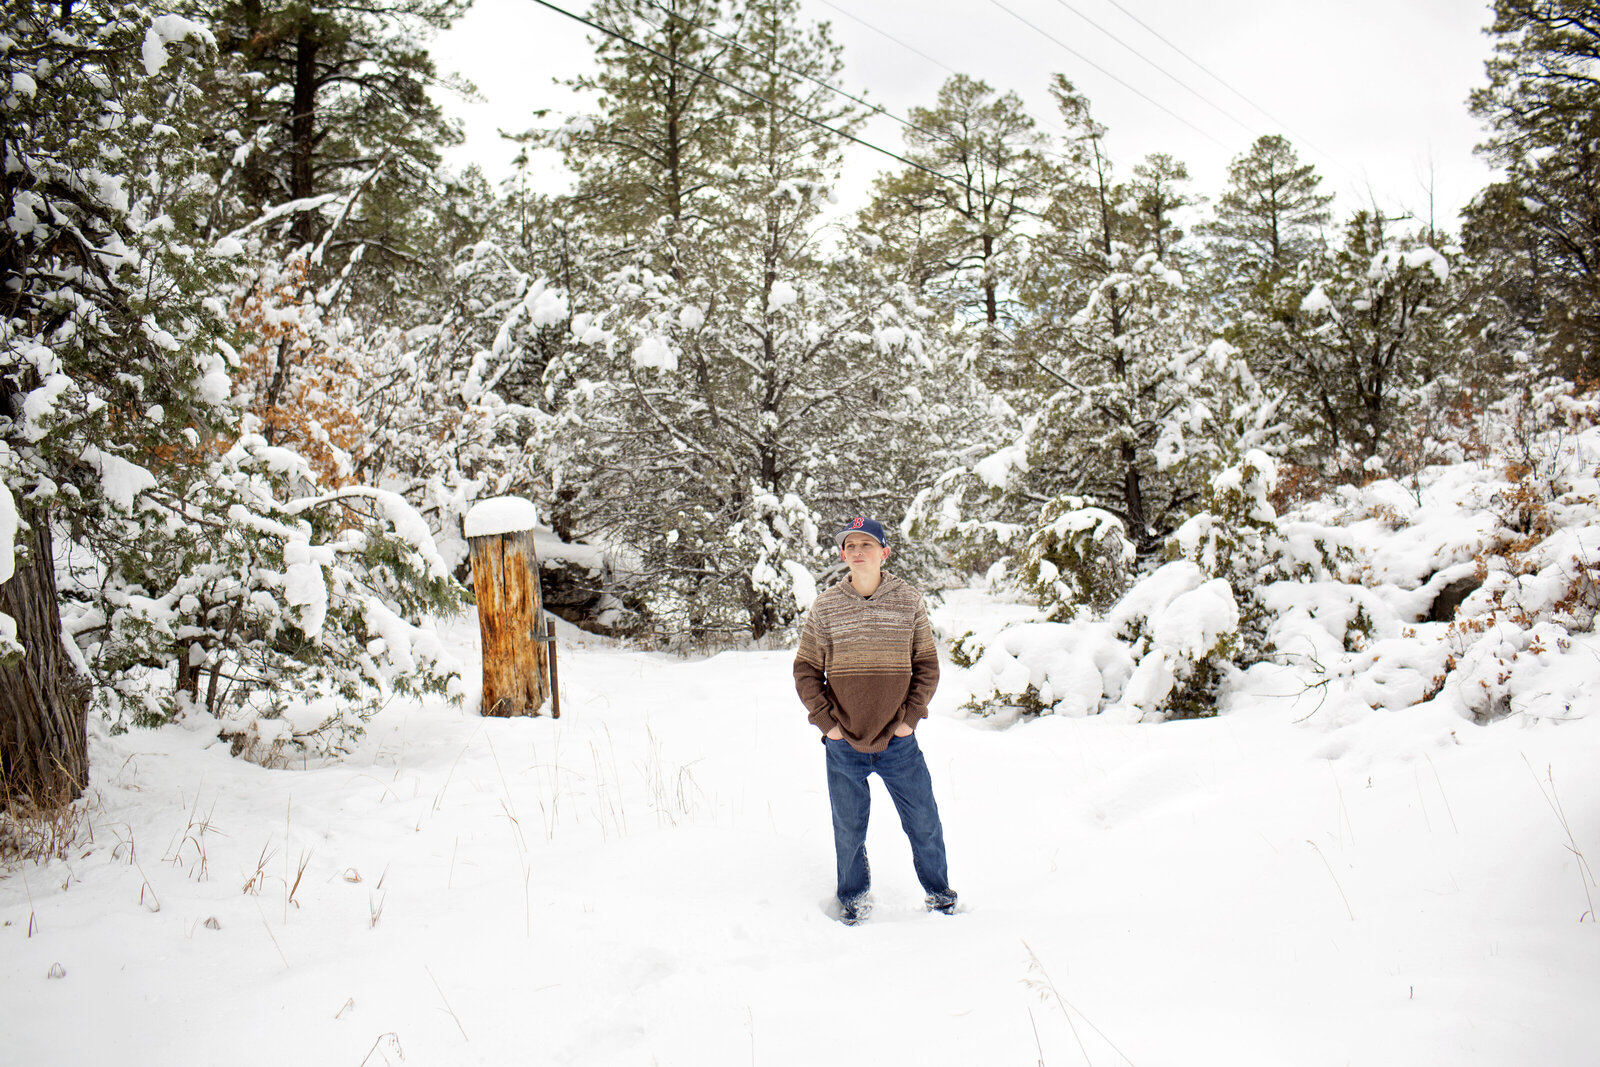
(1142, 407)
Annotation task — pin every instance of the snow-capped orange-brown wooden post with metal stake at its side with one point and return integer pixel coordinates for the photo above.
(519, 653)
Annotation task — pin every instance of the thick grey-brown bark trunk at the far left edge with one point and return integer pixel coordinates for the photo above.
(44, 703)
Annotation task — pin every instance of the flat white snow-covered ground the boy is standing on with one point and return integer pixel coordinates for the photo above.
(646, 882)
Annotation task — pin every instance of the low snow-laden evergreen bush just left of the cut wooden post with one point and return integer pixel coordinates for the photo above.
(236, 591)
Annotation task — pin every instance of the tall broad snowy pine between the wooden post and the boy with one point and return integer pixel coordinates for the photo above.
(718, 393)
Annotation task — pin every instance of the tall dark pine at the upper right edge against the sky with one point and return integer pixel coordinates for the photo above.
(1543, 108)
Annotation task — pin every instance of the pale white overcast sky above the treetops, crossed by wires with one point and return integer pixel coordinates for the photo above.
(1372, 92)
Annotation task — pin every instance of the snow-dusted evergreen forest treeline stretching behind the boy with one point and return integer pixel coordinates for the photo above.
(263, 351)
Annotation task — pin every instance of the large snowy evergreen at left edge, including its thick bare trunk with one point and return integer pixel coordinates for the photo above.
(110, 346)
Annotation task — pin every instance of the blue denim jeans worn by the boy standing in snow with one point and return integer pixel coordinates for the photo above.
(911, 788)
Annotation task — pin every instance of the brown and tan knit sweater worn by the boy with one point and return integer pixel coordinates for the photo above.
(868, 665)
